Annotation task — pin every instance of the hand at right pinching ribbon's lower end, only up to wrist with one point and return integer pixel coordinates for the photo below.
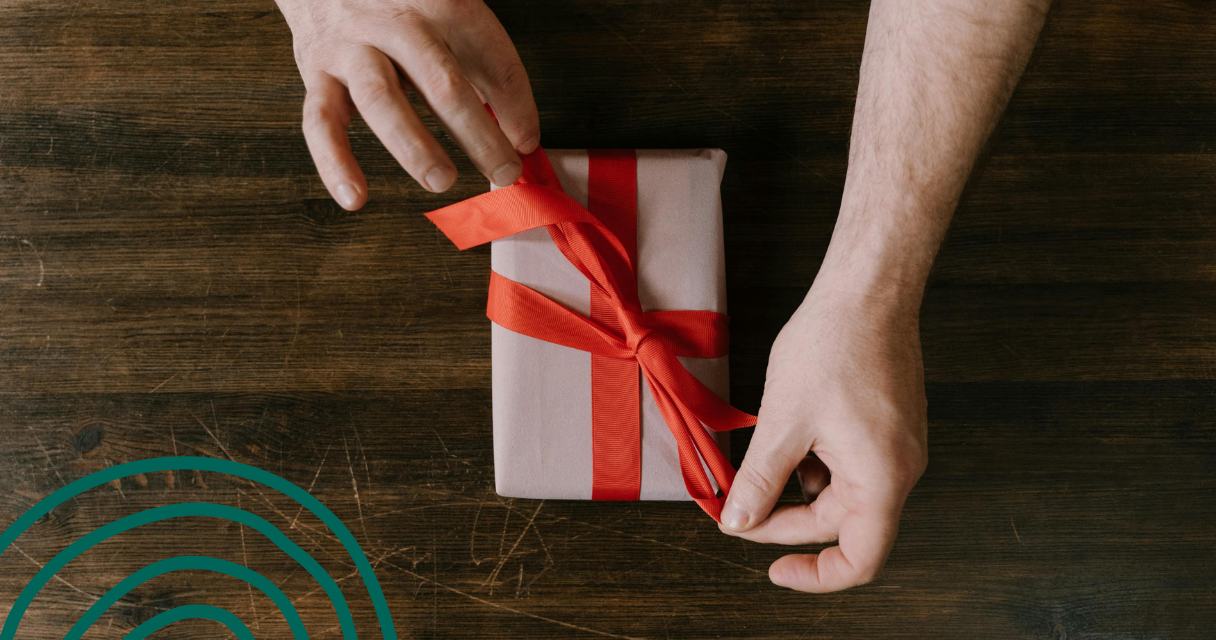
(845, 405)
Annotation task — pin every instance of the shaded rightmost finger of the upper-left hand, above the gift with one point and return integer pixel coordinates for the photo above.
(493, 65)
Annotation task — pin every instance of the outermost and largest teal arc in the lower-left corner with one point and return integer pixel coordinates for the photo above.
(223, 467)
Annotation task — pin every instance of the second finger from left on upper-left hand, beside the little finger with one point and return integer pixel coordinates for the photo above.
(378, 93)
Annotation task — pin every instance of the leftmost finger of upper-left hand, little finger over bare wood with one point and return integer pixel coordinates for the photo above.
(326, 117)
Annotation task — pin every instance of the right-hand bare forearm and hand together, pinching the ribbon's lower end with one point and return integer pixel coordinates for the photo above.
(845, 395)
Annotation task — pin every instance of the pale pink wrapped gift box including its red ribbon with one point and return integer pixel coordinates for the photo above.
(609, 301)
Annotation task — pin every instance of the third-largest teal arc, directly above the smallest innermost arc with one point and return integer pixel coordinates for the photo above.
(185, 564)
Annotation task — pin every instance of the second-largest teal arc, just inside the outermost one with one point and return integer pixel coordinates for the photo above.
(173, 512)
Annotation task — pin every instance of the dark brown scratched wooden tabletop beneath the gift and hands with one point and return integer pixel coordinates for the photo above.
(174, 280)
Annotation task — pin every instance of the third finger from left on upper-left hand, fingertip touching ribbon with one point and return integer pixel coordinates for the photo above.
(432, 69)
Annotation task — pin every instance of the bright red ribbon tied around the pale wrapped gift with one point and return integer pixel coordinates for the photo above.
(601, 243)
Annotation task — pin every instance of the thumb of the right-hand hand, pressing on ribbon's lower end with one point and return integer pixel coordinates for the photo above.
(772, 458)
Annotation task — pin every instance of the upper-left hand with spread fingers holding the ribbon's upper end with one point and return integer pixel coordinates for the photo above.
(365, 54)
